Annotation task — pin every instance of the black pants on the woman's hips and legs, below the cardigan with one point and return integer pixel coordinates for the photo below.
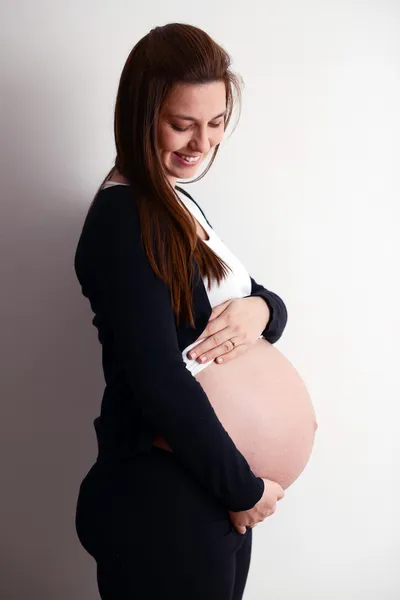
(154, 533)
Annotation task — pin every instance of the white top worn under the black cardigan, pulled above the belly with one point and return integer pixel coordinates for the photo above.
(237, 283)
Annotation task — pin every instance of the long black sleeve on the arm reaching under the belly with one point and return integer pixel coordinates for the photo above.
(136, 305)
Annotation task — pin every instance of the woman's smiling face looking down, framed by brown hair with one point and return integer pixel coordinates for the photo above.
(191, 124)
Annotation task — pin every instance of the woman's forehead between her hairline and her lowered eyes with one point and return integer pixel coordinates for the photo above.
(200, 101)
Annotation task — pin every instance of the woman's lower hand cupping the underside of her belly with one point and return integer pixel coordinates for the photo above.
(265, 507)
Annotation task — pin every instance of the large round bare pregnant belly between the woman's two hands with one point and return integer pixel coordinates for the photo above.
(263, 404)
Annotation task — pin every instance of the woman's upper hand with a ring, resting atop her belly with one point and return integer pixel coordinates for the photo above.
(232, 328)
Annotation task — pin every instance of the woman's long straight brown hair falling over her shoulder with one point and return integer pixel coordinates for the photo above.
(166, 56)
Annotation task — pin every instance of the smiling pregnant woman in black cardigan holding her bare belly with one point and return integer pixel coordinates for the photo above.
(191, 454)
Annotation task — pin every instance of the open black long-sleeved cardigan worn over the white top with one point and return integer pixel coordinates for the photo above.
(148, 389)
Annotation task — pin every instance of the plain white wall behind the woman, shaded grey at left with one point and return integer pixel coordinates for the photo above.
(305, 191)
